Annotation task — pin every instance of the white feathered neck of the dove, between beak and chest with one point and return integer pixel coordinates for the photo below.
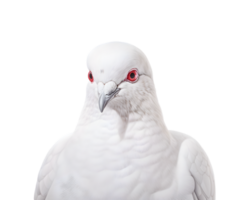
(147, 120)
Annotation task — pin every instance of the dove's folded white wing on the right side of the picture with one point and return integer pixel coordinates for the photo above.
(200, 168)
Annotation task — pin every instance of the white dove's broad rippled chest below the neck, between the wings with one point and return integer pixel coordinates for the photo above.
(131, 169)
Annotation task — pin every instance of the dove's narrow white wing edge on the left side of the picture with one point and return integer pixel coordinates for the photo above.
(47, 169)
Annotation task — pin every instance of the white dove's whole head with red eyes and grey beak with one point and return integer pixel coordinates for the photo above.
(123, 75)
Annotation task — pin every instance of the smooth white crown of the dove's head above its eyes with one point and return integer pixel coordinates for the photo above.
(111, 61)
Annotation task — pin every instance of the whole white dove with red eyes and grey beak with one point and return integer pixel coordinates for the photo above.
(120, 148)
